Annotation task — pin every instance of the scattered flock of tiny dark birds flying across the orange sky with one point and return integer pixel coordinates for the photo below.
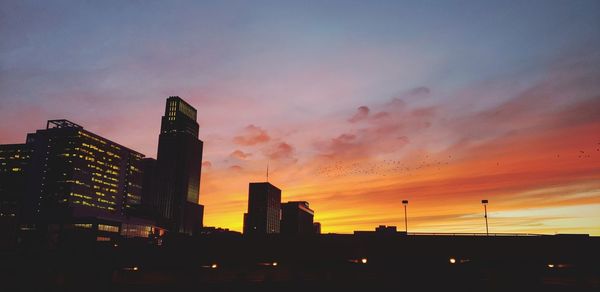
(391, 167)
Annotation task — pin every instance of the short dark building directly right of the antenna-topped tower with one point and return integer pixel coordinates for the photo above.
(296, 218)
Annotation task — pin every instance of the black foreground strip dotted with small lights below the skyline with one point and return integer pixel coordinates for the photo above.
(323, 263)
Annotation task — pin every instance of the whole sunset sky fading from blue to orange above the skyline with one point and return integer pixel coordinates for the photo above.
(354, 105)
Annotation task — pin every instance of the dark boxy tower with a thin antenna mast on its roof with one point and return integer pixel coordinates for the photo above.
(264, 209)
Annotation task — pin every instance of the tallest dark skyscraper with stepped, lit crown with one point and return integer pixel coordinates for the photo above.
(179, 162)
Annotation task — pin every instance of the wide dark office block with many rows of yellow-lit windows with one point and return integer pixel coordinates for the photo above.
(75, 173)
